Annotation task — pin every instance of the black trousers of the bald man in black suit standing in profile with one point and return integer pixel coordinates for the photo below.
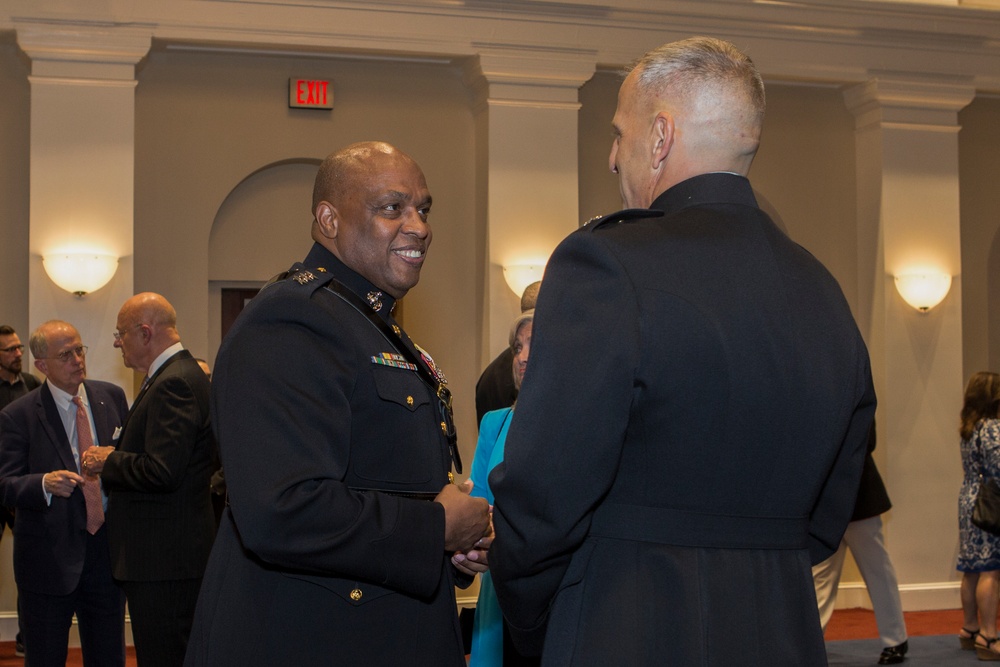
(162, 613)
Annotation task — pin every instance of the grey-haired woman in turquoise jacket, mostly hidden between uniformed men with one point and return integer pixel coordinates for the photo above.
(488, 647)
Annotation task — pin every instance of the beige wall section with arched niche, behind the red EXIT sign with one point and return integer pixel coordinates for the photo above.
(205, 123)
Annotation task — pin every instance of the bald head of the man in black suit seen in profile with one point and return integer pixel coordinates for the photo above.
(146, 326)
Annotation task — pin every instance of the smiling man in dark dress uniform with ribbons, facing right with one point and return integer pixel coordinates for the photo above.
(337, 441)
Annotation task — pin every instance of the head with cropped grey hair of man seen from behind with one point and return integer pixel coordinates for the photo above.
(696, 106)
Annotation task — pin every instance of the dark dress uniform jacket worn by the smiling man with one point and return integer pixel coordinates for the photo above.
(311, 566)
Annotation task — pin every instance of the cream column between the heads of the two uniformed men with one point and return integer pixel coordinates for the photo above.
(527, 143)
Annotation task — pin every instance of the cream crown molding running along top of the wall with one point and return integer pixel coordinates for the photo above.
(805, 40)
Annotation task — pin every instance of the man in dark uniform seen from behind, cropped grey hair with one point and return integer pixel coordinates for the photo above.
(690, 431)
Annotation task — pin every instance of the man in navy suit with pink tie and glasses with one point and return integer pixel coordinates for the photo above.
(61, 561)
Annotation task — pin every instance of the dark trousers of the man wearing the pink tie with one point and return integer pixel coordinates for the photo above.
(99, 605)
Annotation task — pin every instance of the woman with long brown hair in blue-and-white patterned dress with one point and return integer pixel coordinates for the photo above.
(979, 551)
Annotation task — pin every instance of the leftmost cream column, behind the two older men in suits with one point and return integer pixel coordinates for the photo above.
(82, 162)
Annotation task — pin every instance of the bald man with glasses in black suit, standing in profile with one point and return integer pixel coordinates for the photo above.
(160, 512)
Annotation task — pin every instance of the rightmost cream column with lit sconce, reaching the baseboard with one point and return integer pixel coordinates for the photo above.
(908, 218)
